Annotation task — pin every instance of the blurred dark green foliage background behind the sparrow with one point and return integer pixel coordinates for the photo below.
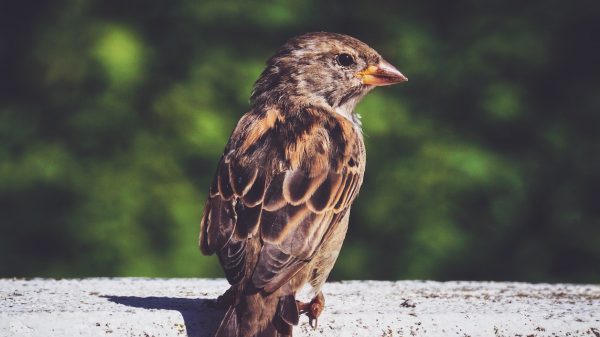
(484, 166)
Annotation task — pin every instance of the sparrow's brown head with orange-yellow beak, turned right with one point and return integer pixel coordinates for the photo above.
(326, 69)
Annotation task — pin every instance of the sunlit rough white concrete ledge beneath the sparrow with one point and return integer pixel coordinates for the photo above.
(180, 307)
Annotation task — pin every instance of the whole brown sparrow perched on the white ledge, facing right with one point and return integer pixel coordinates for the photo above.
(278, 207)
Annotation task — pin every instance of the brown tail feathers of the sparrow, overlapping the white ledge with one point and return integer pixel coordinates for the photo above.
(260, 315)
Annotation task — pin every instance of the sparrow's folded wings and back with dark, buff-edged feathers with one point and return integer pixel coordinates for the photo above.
(291, 194)
